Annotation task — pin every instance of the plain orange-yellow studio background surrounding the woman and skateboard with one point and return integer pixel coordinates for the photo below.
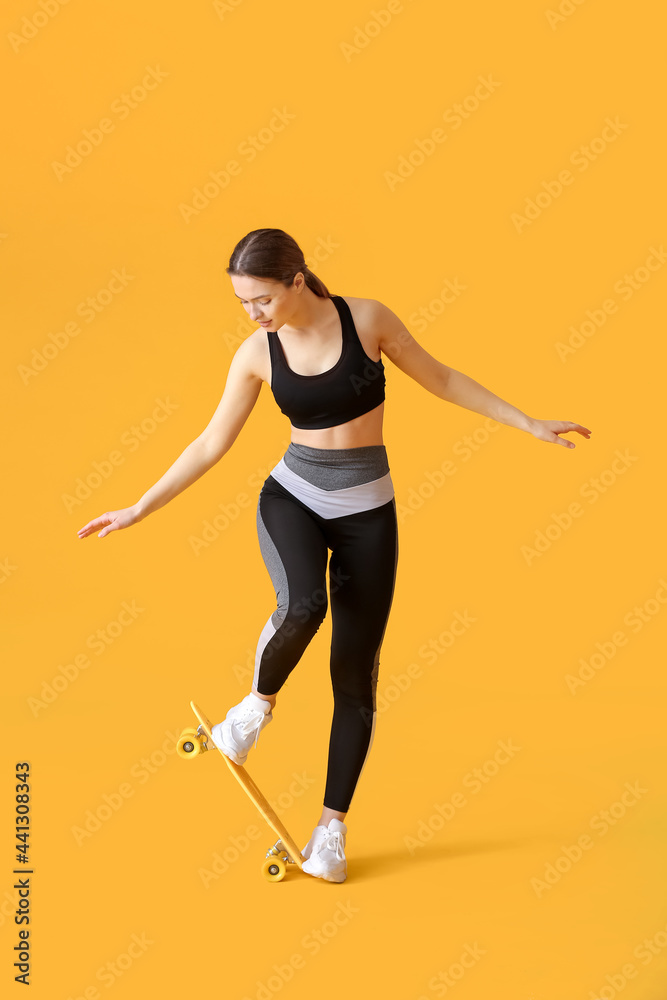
(364, 90)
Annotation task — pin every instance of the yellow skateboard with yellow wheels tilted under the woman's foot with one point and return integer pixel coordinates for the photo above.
(191, 744)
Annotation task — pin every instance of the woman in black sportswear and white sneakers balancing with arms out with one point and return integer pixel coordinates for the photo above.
(321, 356)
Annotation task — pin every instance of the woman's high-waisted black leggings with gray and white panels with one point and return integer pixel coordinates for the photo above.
(295, 540)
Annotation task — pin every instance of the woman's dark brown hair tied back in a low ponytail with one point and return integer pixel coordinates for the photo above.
(274, 255)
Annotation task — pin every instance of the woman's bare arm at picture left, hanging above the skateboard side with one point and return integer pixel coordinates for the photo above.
(240, 395)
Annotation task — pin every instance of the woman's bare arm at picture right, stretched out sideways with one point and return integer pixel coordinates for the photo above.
(396, 341)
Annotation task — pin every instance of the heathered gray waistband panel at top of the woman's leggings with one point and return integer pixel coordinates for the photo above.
(337, 468)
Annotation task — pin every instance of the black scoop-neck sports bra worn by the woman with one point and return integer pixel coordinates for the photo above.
(353, 386)
